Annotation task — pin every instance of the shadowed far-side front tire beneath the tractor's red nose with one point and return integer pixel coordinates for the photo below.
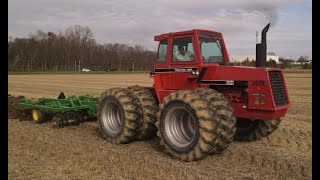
(248, 130)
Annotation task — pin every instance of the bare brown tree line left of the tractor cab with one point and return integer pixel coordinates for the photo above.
(74, 48)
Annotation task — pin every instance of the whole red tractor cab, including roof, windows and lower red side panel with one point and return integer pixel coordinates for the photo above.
(181, 56)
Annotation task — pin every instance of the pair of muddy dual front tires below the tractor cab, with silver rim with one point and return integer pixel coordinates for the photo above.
(195, 124)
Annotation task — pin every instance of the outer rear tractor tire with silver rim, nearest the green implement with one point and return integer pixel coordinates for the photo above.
(119, 115)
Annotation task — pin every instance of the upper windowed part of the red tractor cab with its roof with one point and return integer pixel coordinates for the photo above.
(190, 48)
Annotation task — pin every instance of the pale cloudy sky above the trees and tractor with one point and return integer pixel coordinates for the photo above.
(137, 22)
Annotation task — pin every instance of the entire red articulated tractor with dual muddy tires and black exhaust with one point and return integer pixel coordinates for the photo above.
(200, 102)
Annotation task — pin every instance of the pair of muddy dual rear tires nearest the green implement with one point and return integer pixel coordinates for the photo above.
(127, 114)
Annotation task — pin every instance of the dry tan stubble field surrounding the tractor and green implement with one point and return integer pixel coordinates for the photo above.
(78, 152)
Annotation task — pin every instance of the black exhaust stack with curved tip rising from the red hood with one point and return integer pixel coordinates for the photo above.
(261, 49)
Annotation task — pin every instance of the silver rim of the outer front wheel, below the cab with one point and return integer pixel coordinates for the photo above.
(179, 127)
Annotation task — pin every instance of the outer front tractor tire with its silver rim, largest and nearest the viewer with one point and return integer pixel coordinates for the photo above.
(187, 126)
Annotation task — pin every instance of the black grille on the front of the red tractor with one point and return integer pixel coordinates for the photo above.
(278, 90)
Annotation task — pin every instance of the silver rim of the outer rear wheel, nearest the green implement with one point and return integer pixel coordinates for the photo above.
(112, 118)
